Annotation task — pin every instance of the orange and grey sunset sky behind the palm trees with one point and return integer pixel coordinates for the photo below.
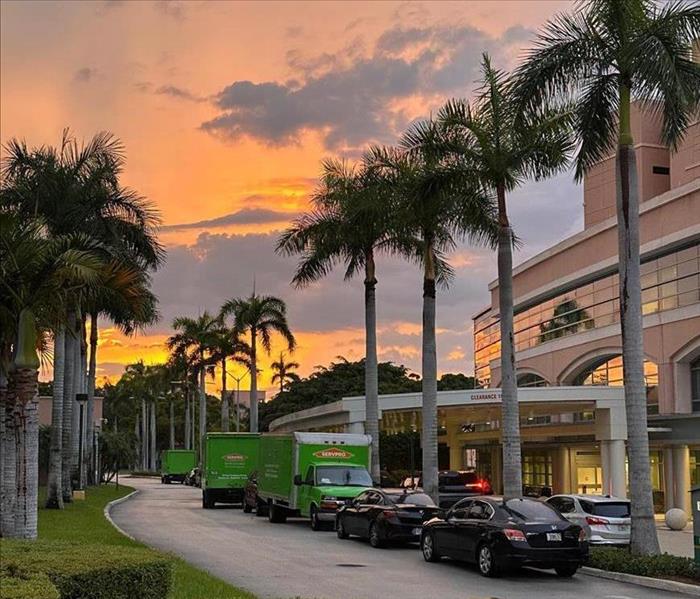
(226, 110)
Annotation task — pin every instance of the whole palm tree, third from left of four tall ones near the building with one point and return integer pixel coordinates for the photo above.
(503, 148)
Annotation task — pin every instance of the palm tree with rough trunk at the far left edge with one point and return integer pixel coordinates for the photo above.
(38, 273)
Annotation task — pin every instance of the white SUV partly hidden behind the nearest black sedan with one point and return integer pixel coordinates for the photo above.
(605, 519)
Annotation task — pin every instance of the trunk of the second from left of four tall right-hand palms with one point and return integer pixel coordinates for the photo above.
(429, 364)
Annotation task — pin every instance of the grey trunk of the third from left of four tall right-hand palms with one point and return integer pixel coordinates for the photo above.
(510, 431)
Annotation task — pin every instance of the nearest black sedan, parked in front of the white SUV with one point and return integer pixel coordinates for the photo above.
(497, 534)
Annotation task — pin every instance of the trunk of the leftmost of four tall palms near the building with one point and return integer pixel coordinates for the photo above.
(371, 373)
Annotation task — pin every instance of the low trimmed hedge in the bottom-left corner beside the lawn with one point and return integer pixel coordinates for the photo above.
(84, 571)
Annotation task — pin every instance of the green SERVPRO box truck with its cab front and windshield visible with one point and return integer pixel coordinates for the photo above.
(312, 474)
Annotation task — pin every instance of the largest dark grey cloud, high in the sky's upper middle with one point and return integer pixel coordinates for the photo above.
(349, 98)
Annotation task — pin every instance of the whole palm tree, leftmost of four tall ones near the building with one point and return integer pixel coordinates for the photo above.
(350, 223)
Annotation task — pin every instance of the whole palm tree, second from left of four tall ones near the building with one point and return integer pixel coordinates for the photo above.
(437, 202)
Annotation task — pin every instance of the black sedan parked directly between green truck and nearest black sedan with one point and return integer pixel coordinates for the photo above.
(384, 515)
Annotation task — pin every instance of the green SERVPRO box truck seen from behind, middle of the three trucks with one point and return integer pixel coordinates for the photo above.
(228, 460)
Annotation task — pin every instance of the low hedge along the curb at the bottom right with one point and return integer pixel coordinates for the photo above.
(655, 566)
